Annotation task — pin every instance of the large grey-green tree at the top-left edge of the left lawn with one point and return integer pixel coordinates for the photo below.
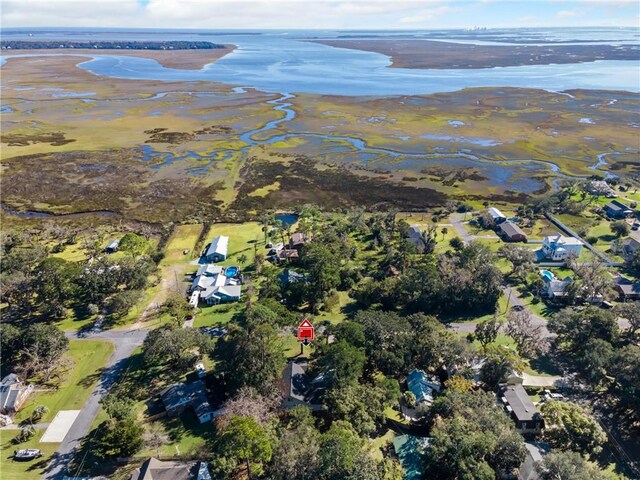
(41, 348)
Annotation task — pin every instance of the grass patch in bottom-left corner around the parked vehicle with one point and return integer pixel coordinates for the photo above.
(32, 470)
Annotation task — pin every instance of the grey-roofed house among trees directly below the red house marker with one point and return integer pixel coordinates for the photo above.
(300, 389)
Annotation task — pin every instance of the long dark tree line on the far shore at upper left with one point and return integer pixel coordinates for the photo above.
(108, 45)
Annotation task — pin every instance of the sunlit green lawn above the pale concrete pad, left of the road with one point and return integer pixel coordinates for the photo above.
(87, 357)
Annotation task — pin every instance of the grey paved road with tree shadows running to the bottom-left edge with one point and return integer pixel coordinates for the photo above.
(125, 341)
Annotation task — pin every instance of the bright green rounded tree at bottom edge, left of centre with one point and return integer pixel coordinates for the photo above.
(243, 441)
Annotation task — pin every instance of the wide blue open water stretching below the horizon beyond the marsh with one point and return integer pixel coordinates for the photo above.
(275, 62)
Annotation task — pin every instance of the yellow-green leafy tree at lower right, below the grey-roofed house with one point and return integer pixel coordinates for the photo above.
(568, 426)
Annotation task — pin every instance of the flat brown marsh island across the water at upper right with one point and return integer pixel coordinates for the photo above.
(429, 54)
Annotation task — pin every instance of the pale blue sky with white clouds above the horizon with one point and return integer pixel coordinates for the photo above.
(321, 14)
